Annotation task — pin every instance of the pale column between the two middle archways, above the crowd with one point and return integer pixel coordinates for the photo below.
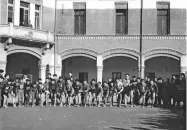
(99, 68)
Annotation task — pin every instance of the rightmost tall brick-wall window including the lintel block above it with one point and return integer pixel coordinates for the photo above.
(163, 18)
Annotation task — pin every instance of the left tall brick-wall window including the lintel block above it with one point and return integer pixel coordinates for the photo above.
(80, 18)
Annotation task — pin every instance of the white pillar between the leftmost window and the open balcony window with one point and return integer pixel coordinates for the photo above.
(16, 12)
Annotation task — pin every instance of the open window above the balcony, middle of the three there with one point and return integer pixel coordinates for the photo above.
(24, 12)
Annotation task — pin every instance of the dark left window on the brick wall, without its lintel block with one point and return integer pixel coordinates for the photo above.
(80, 21)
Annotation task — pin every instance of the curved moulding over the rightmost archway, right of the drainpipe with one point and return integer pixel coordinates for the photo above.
(158, 52)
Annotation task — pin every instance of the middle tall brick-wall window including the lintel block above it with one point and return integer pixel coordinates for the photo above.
(121, 18)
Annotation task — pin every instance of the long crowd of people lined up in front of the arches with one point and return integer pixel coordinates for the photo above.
(58, 91)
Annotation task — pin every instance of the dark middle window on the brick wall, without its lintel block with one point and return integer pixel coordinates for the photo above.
(121, 21)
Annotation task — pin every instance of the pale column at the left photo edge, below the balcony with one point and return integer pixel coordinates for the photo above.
(3, 58)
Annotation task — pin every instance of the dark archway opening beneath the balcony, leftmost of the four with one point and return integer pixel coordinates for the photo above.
(22, 63)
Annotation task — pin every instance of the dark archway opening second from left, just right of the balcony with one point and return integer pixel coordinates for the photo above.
(81, 67)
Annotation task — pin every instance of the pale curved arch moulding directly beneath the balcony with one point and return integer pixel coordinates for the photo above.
(31, 51)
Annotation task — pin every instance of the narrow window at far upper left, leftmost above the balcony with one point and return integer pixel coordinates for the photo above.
(10, 11)
